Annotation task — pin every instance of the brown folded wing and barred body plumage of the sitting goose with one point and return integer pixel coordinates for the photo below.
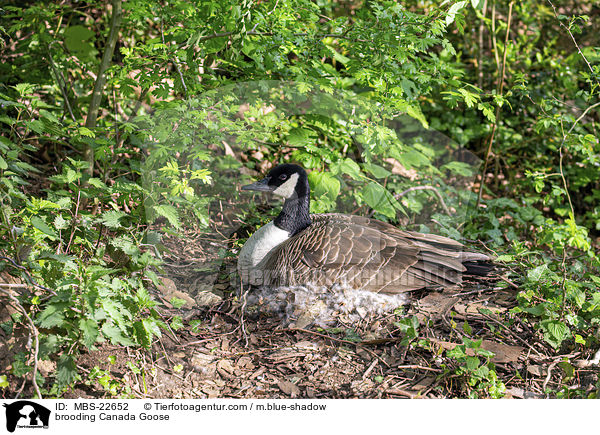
(364, 253)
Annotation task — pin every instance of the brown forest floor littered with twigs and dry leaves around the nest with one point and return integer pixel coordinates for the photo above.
(216, 352)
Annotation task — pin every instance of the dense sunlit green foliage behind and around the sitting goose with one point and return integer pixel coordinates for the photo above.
(347, 90)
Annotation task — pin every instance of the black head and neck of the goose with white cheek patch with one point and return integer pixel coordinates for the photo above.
(291, 183)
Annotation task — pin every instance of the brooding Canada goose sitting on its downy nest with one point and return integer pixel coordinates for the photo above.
(298, 248)
